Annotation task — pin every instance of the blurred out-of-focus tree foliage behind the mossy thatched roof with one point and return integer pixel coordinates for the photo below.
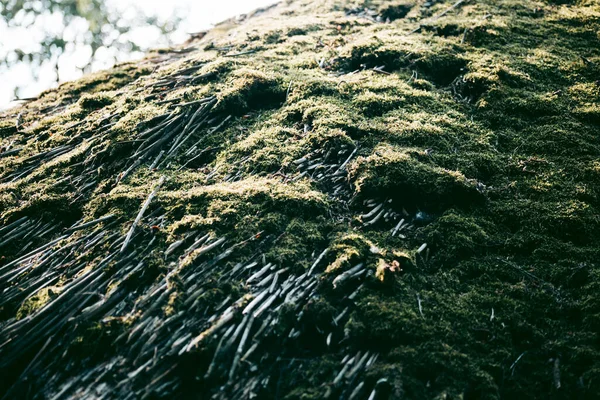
(106, 28)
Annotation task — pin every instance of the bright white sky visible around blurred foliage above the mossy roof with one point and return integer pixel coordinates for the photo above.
(197, 15)
